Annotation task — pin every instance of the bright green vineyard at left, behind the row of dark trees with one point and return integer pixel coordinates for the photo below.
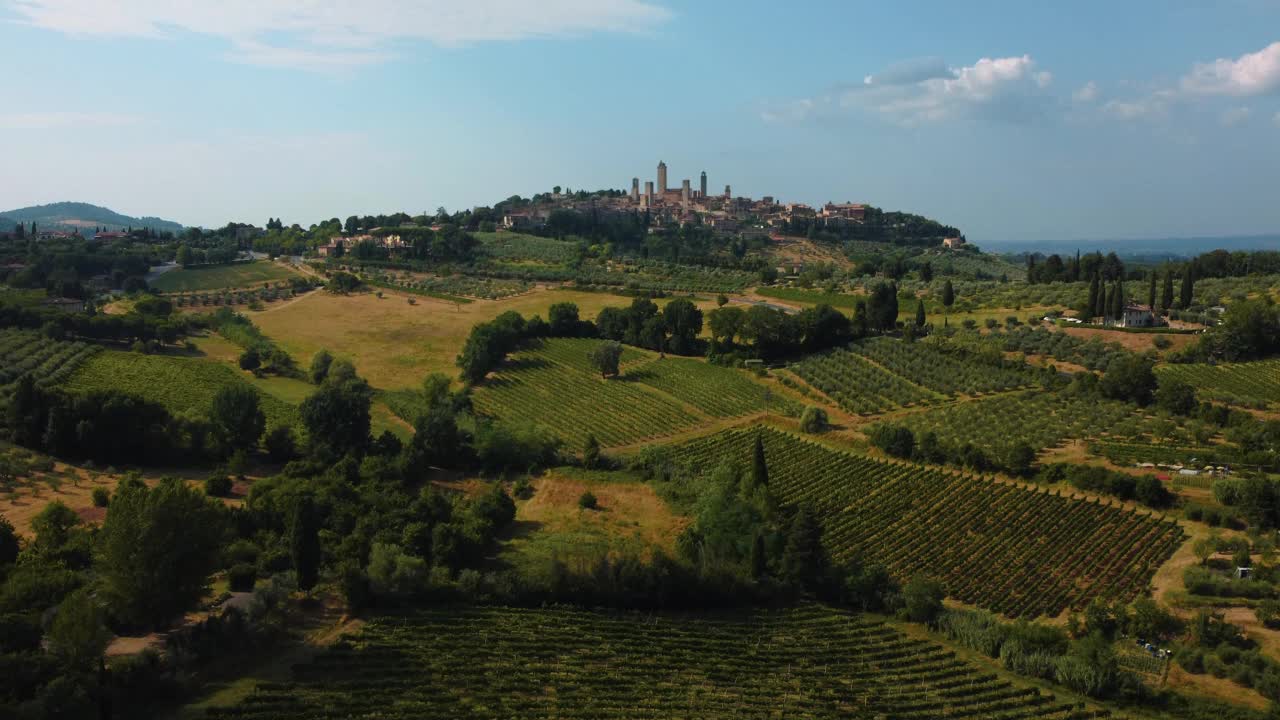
(182, 385)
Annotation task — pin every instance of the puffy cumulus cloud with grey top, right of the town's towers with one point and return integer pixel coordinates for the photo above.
(925, 92)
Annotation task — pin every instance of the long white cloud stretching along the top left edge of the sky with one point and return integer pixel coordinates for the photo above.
(333, 34)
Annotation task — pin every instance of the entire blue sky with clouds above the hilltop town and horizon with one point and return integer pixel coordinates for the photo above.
(1014, 121)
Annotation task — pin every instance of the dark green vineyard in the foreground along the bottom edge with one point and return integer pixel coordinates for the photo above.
(557, 663)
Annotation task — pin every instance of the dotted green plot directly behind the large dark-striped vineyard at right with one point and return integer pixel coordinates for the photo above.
(1037, 418)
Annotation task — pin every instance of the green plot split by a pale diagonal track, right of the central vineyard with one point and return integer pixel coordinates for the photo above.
(883, 373)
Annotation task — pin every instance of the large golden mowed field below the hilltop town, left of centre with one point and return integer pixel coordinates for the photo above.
(394, 344)
